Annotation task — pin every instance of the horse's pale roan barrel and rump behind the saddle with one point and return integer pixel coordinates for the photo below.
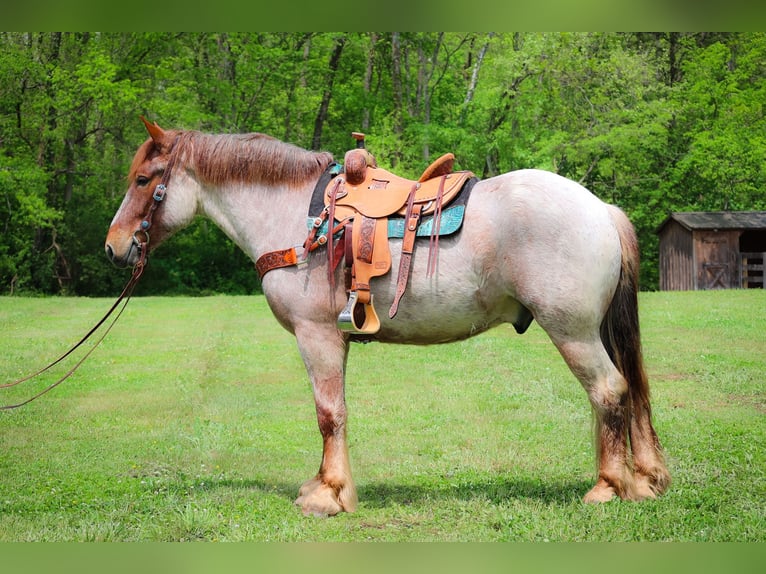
(532, 244)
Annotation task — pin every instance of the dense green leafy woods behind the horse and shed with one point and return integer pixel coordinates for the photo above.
(653, 122)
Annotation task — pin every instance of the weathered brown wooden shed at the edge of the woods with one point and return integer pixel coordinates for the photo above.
(712, 250)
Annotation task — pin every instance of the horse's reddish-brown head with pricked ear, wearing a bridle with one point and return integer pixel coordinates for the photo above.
(145, 211)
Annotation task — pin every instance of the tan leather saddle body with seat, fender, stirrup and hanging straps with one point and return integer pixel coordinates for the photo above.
(366, 196)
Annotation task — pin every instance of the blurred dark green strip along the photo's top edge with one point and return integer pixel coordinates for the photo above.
(402, 15)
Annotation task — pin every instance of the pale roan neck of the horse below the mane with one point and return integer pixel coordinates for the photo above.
(259, 218)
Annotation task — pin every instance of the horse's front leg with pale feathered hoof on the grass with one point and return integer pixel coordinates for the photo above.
(332, 490)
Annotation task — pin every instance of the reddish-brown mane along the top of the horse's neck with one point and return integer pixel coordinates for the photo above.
(222, 158)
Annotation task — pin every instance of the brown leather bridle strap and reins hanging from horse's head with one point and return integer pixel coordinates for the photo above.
(141, 242)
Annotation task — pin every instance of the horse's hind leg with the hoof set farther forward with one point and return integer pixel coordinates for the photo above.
(608, 394)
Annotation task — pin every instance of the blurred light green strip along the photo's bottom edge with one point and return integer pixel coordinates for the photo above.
(400, 558)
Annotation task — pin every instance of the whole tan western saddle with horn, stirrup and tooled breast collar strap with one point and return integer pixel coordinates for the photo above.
(355, 210)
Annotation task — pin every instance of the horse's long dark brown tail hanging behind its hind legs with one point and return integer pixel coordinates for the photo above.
(620, 332)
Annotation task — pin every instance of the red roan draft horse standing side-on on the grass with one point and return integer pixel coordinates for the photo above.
(518, 228)
